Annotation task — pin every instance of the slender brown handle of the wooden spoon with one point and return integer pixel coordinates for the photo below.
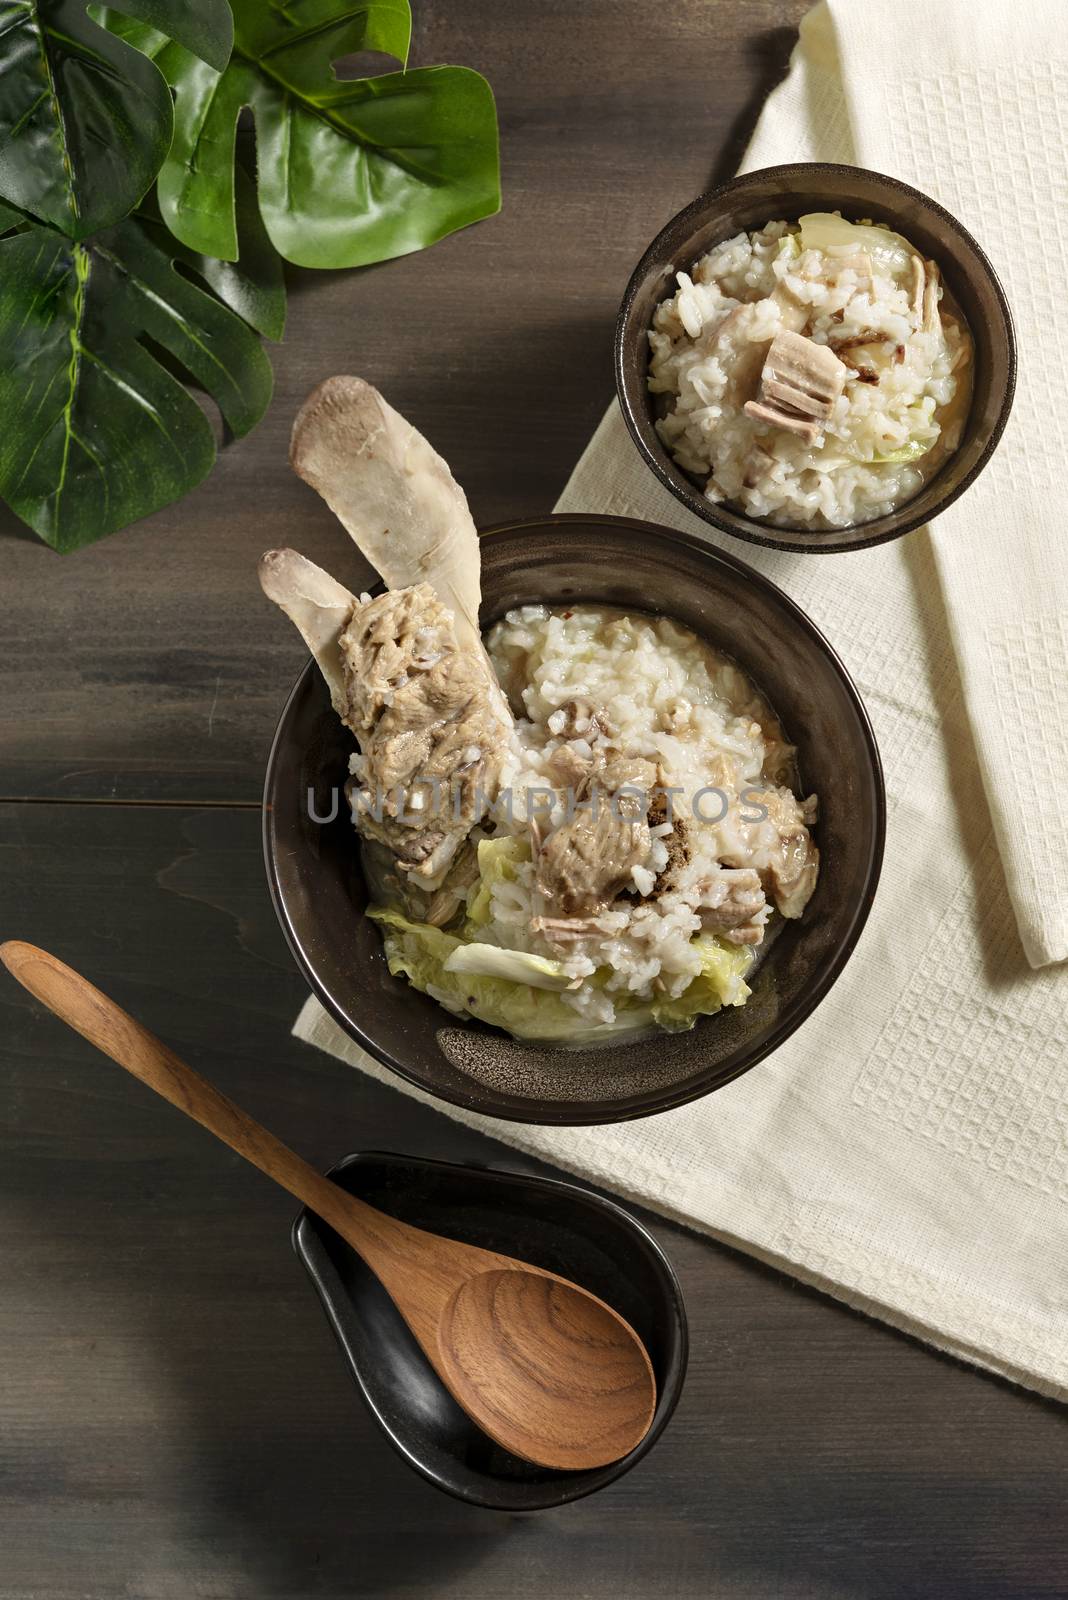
(140, 1052)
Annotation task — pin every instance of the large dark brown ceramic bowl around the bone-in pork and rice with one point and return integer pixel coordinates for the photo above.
(319, 890)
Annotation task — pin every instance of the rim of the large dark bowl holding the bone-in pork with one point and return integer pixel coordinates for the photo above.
(570, 1114)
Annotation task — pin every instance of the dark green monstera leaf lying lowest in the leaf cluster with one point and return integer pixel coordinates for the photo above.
(98, 428)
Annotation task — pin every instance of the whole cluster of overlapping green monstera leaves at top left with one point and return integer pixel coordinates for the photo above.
(116, 330)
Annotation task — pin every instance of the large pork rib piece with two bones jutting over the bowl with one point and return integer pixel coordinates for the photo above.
(408, 671)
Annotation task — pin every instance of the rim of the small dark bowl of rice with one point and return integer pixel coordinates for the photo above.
(637, 426)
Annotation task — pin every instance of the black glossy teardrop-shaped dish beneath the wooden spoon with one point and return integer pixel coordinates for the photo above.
(557, 1226)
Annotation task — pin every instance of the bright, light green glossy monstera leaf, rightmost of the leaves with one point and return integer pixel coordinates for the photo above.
(349, 170)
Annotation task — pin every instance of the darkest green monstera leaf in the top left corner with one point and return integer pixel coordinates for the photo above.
(86, 119)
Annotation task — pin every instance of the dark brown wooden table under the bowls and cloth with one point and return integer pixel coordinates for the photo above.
(173, 1417)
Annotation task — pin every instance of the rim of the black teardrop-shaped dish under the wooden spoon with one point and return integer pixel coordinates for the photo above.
(667, 1396)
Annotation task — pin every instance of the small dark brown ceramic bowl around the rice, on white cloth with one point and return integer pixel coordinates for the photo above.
(787, 193)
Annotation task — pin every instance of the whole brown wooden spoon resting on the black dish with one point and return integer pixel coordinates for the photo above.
(541, 1366)
